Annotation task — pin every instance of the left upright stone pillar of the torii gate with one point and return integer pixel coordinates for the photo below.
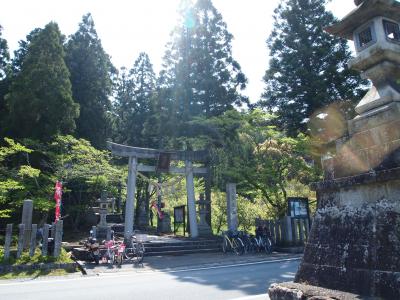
(130, 197)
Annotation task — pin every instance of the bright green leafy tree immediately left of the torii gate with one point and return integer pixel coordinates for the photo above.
(85, 172)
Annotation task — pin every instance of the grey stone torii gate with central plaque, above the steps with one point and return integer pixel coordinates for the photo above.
(134, 153)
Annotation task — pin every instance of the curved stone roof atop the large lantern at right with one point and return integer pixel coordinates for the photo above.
(365, 11)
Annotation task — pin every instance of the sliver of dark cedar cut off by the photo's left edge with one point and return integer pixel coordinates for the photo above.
(4, 79)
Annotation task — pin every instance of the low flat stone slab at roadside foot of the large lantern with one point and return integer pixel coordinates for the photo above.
(297, 291)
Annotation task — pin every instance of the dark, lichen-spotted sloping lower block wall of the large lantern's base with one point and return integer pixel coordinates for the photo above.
(354, 243)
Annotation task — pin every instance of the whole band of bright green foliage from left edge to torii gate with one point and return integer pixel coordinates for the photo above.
(31, 172)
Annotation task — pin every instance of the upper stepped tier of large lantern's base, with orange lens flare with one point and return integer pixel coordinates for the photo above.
(373, 144)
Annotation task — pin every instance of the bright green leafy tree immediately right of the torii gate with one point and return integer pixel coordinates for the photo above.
(248, 150)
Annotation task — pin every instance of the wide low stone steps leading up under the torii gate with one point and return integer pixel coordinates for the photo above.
(182, 246)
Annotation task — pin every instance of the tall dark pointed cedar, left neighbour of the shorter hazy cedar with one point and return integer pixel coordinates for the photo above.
(91, 77)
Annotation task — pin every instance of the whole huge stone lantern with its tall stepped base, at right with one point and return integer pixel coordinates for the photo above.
(354, 242)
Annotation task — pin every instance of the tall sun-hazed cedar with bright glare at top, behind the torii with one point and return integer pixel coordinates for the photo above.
(199, 69)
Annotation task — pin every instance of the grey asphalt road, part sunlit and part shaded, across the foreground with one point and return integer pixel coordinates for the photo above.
(243, 281)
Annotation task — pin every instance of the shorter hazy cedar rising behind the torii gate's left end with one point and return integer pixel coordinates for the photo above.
(133, 101)
